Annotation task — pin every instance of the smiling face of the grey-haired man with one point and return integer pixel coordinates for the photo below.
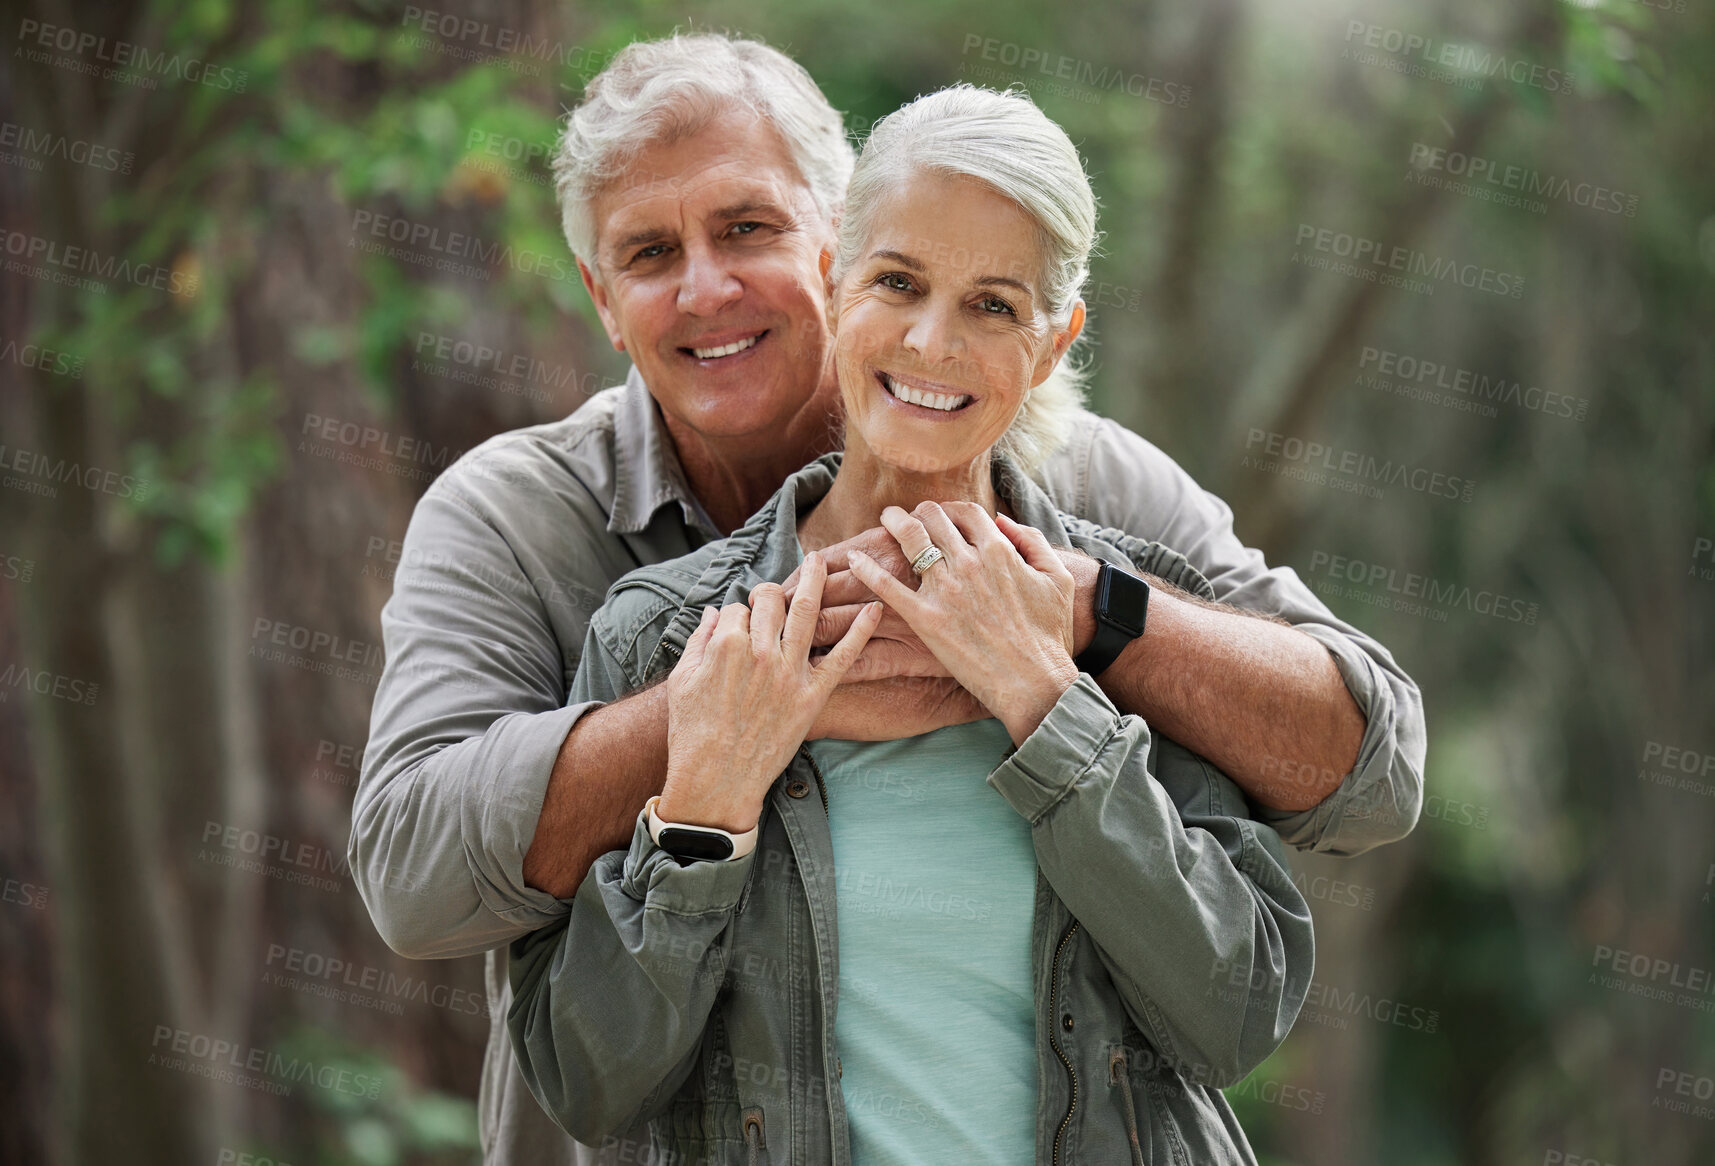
(709, 277)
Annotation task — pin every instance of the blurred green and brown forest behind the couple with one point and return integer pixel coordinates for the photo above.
(1525, 980)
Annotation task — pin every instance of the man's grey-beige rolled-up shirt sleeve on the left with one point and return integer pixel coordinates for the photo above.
(467, 723)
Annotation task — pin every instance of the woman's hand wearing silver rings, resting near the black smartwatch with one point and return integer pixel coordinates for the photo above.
(996, 611)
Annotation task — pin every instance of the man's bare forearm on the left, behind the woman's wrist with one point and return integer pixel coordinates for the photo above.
(613, 762)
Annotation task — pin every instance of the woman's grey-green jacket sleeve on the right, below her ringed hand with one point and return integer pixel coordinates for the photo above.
(1124, 839)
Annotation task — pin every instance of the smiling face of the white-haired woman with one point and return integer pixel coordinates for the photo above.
(941, 325)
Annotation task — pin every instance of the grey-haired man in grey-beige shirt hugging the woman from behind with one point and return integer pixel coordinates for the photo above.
(699, 184)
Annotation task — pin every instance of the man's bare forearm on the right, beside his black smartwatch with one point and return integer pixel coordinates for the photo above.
(1256, 697)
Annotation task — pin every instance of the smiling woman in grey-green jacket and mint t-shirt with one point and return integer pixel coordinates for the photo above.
(1042, 937)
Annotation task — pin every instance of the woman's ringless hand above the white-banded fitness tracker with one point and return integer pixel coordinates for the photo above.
(743, 699)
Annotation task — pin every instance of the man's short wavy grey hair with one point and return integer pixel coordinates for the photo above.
(666, 90)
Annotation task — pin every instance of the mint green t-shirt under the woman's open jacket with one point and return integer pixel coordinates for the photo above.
(936, 899)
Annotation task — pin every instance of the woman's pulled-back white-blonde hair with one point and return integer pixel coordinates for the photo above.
(1004, 141)
